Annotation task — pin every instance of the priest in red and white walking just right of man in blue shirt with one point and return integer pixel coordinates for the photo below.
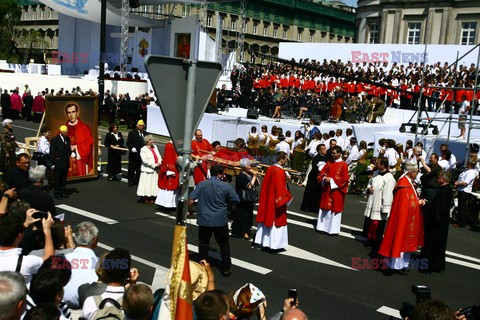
(272, 209)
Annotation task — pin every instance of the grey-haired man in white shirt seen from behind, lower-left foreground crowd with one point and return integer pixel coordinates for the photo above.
(83, 260)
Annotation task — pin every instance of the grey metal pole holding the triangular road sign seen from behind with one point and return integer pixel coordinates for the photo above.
(191, 67)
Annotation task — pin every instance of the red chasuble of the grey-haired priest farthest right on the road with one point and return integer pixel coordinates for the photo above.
(404, 231)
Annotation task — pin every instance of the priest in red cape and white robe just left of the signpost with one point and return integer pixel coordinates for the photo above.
(168, 178)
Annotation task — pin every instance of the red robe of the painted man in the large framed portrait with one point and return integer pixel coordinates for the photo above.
(81, 136)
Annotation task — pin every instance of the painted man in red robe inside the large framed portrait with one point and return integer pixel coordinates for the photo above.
(81, 142)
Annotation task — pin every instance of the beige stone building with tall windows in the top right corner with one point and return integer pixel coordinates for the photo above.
(418, 21)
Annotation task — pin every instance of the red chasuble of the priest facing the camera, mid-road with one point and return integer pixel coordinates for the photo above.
(334, 199)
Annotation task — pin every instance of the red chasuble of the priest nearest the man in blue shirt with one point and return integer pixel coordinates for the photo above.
(274, 197)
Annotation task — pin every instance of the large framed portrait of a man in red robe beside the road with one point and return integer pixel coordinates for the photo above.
(80, 115)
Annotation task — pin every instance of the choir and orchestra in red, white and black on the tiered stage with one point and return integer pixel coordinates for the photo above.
(289, 89)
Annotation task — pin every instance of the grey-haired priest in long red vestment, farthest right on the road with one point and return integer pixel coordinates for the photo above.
(404, 232)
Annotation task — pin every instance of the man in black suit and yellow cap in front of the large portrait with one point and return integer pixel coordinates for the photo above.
(60, 152)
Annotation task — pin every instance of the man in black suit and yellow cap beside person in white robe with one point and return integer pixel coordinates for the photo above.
(135, 142)
